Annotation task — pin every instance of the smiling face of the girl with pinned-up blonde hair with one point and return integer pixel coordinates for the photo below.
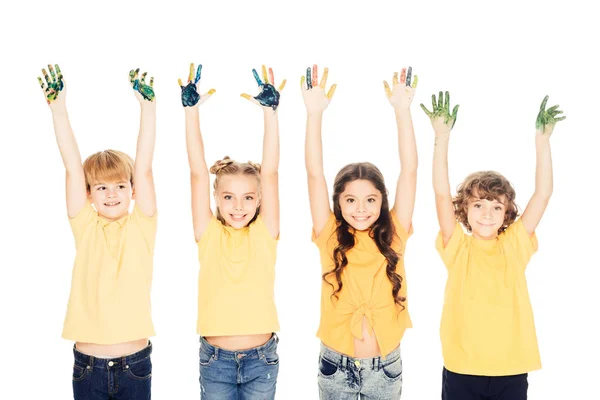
(238, 199)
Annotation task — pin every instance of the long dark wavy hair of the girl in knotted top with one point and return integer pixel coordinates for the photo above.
(382, 231)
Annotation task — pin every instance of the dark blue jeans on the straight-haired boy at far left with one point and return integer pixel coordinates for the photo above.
(122, 378)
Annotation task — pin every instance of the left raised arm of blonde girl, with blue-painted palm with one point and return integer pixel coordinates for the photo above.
(200, 180)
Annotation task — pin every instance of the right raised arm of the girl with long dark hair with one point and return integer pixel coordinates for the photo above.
(400, 98)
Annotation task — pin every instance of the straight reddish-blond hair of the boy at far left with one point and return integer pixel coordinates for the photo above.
(107, 166)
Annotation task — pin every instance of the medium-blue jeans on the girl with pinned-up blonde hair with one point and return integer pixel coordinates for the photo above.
(245, 374)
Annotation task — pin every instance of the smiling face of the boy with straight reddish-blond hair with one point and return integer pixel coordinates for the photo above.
(111, 199)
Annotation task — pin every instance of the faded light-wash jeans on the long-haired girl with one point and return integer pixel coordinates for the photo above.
(344, 378)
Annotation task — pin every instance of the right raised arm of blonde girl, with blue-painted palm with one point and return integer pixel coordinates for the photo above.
(268, 100)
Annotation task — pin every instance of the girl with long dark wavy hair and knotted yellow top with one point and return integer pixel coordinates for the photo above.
(364, 311)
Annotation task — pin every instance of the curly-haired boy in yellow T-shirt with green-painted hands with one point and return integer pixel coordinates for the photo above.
(487, 330)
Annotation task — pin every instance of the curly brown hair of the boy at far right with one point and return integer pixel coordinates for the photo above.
(488, 185)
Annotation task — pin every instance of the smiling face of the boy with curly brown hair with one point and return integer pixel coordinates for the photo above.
(486, 217)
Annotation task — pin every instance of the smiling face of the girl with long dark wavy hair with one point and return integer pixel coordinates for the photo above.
(360, 204)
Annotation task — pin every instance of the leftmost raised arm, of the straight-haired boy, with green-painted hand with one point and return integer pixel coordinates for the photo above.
(55, 92)
